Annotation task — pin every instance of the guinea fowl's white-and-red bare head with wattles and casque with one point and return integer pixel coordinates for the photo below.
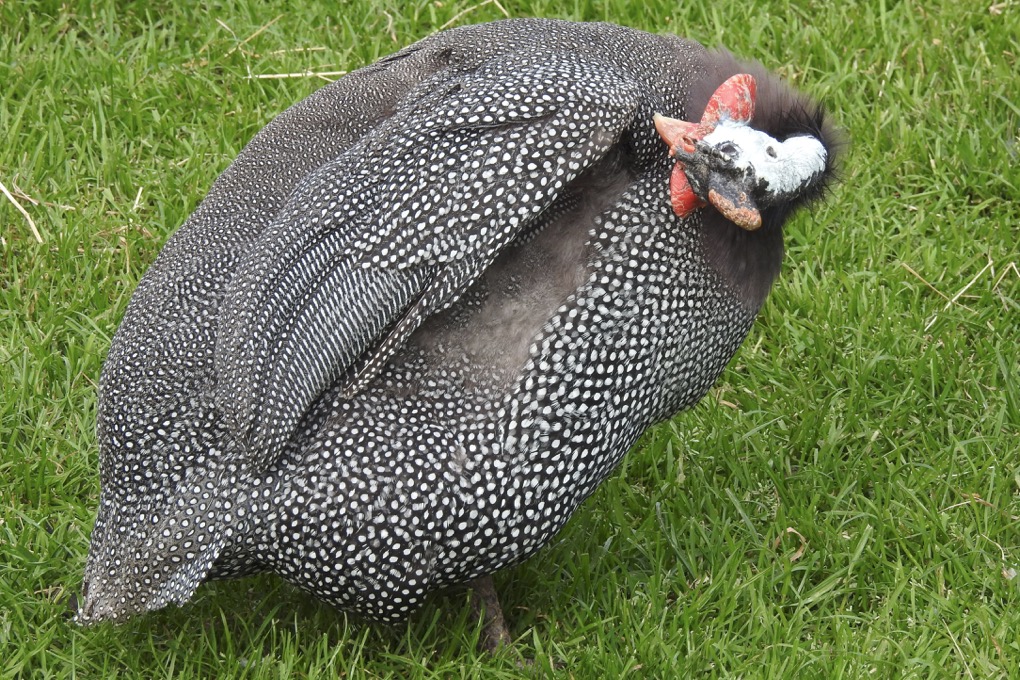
(724, 162)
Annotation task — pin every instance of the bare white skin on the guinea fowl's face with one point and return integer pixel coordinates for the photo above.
(785, 167)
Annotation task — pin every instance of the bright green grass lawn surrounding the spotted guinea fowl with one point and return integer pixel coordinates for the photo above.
(846, 502)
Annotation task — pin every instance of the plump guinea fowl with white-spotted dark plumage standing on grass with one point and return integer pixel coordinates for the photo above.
(427, 311)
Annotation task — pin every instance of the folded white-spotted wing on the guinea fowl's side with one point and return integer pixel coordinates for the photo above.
(396, 230)
